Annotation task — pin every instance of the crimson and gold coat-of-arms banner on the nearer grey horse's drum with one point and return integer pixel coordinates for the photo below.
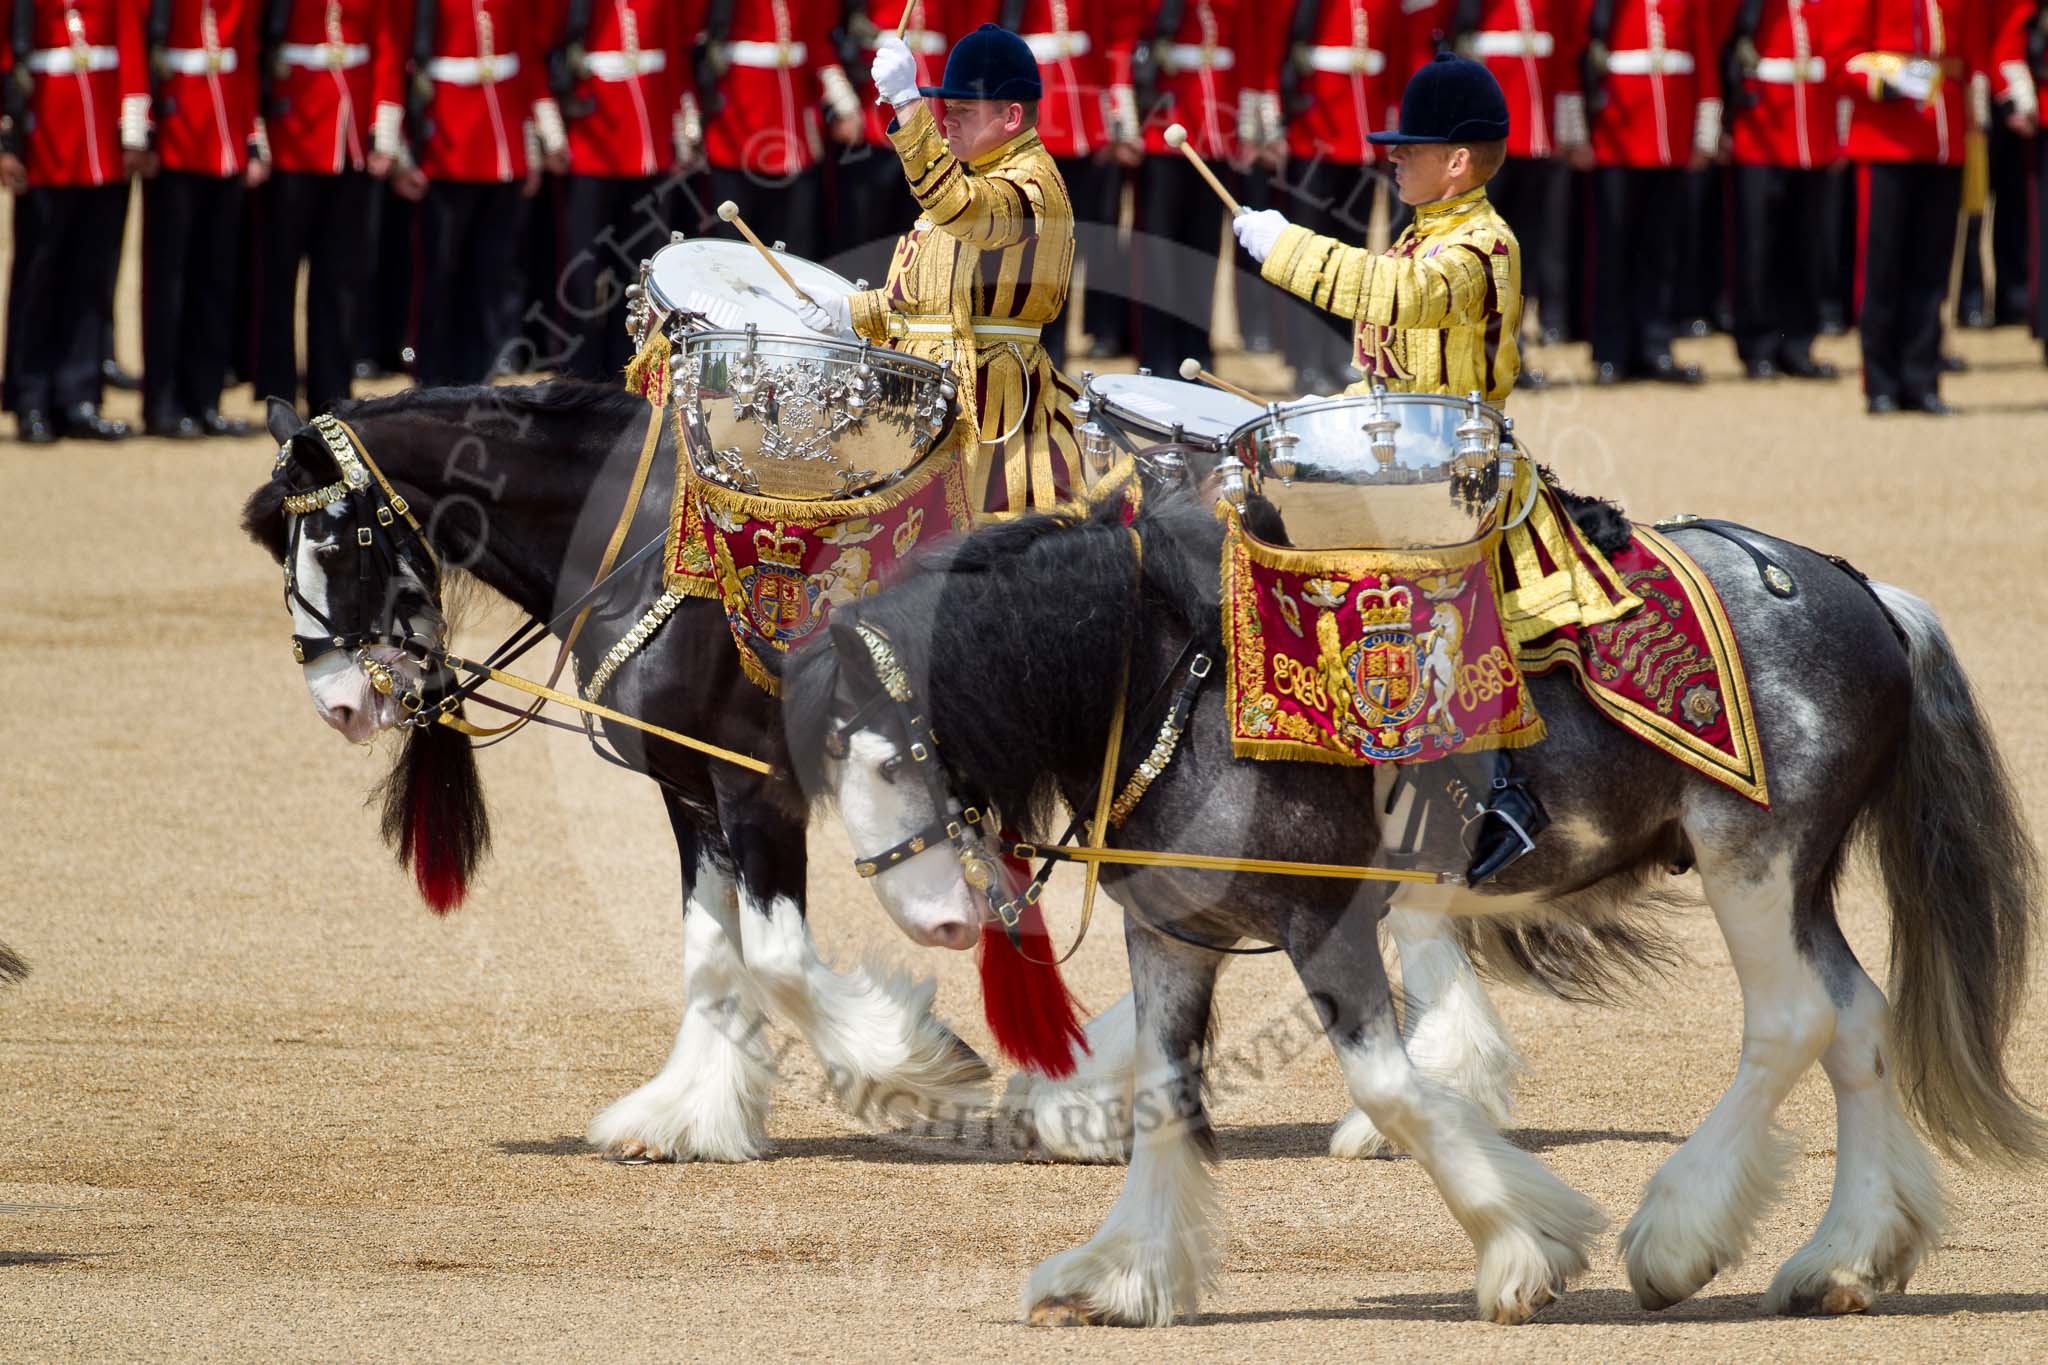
(1369, 656)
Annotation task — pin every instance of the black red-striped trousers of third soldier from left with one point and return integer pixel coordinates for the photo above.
(325, 222)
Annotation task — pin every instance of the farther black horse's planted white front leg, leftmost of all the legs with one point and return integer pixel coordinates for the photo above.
(710, 1098)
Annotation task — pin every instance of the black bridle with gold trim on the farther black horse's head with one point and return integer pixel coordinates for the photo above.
(388, 545)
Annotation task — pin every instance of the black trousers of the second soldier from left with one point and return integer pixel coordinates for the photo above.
(191, 255)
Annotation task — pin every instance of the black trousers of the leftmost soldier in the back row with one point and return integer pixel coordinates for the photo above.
(67, 255)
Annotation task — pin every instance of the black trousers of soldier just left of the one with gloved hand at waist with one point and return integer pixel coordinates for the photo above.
(1783, 253)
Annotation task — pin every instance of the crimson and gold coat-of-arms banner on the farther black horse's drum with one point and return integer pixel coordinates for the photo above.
(779, 566)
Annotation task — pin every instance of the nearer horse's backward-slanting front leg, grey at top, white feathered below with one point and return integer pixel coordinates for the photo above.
(1531, 1229)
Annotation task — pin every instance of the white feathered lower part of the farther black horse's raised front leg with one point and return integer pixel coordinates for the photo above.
(884, 1051)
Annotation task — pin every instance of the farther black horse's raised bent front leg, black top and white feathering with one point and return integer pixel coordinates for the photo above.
(878, 1037)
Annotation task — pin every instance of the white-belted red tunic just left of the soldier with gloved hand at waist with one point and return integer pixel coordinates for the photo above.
(1791, 118)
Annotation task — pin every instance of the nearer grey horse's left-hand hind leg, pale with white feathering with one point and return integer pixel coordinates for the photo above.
(1701, 1206)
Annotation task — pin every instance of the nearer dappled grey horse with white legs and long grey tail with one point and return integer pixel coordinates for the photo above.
(1013, 650)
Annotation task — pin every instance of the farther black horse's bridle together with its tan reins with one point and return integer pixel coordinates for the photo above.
(378, 541)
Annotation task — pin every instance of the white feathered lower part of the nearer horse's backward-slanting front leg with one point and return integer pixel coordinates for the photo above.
(1529, 1227)
